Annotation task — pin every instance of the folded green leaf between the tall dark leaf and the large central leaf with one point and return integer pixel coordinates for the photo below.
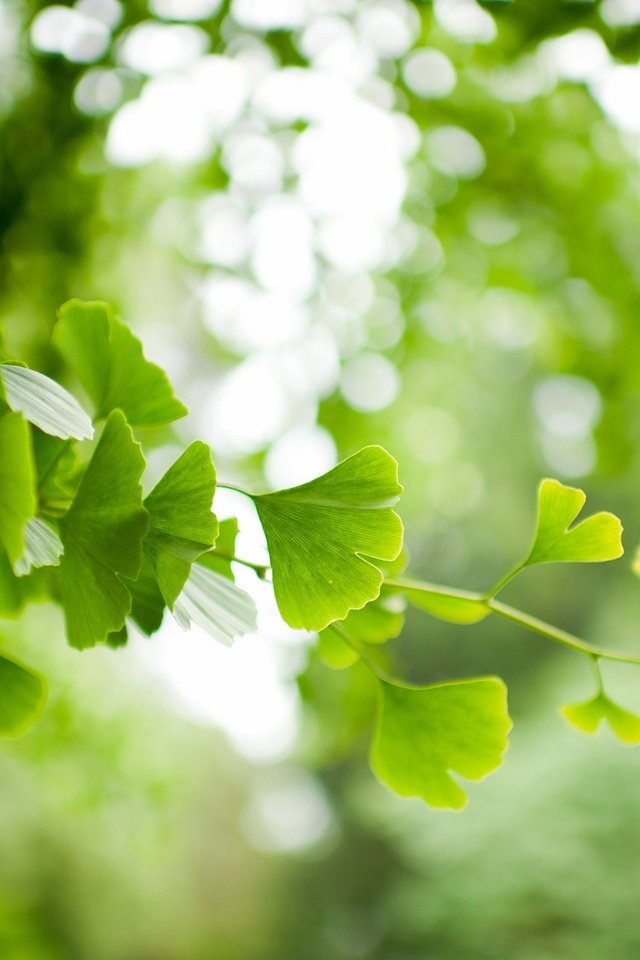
(181, 524)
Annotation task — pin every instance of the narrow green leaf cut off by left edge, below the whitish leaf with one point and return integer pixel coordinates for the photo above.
(17, 484)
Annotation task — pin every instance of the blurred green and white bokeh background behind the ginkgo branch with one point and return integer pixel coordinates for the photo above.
(335, 222)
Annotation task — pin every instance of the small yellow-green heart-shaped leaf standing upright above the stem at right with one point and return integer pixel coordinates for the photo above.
(594, 539)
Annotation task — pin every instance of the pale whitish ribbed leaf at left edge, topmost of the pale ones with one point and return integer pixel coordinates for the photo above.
(44, 403)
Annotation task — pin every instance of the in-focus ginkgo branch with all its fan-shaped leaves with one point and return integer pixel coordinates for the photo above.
(75, 529)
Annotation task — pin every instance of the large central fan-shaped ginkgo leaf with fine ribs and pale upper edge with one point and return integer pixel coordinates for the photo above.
(320, 535)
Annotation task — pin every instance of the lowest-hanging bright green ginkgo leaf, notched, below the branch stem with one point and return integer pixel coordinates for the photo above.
(424, 734)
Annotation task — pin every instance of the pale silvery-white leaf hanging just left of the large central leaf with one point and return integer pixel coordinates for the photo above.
(215, 604)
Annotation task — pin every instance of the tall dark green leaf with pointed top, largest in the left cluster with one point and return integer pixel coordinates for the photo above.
(102, 535)
